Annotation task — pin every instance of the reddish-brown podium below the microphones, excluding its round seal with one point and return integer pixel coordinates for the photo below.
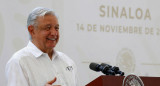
(106, 80)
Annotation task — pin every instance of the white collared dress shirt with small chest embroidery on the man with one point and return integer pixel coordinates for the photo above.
(31, 67)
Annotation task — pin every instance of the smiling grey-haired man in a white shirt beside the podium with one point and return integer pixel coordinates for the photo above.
(38, 64)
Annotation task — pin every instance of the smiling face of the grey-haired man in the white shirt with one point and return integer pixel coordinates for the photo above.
(46, 34)
